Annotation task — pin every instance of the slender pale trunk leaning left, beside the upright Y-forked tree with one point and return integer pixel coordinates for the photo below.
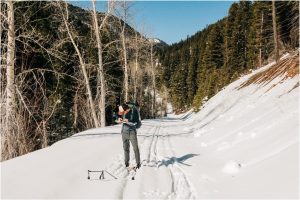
(82, 66)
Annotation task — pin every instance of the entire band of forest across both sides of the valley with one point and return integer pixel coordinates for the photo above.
(65, 69)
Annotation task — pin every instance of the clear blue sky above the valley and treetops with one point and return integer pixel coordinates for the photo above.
(172, 21)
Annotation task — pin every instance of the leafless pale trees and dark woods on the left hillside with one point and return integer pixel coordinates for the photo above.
(61, 73)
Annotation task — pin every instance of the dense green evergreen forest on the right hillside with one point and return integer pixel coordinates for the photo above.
(197, 68)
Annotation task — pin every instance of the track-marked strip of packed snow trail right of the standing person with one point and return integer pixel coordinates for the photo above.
(168, 179)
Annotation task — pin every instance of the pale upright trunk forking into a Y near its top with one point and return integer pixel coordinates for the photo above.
(101, 83)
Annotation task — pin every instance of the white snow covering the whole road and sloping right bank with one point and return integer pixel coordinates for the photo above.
(242, 144)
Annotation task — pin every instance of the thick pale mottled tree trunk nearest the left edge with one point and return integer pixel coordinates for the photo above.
(10, 76)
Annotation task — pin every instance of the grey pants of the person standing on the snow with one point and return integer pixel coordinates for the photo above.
(129, 135)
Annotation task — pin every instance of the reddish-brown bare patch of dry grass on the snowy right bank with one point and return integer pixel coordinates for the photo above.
(287, 68)
